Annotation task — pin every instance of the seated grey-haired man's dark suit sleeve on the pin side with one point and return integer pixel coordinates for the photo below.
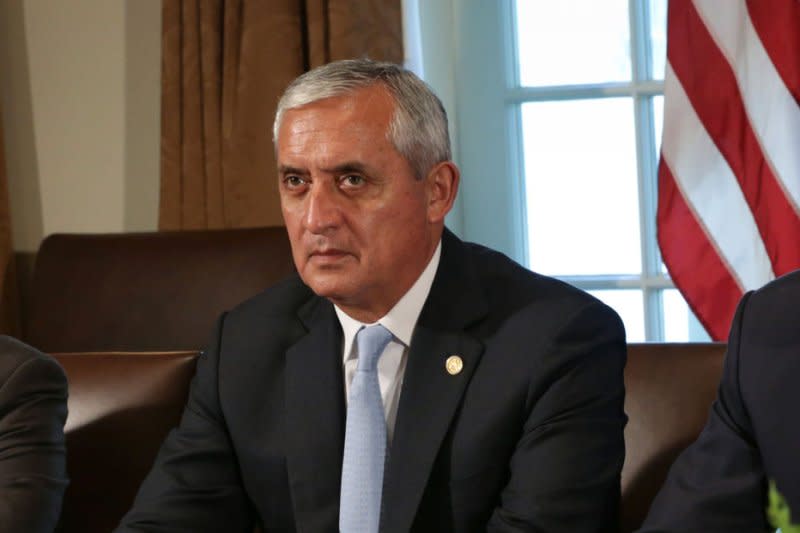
(565, 470)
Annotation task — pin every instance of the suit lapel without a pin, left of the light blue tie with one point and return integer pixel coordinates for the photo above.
(315, 419)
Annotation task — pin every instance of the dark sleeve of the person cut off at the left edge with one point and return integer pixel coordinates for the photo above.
(33, 409)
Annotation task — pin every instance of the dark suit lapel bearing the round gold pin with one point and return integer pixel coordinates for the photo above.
(431, 395)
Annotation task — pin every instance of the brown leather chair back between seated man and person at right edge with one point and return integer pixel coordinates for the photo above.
(669, 390)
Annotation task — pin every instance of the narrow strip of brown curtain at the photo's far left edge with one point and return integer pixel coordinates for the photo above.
(9, 315)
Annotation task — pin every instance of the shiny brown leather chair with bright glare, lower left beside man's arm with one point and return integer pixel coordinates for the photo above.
(121, 406)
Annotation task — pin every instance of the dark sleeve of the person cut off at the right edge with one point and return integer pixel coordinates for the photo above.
(717, 484)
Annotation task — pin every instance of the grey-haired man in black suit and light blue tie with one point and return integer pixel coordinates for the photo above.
(501, 390)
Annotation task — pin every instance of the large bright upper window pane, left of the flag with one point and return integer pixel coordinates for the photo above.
(570, 42)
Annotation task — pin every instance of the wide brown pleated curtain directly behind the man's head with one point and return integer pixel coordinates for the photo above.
(224, 65)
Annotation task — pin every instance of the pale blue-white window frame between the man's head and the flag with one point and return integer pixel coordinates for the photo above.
(461, 41)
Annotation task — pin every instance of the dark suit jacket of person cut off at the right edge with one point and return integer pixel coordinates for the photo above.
(719, 483)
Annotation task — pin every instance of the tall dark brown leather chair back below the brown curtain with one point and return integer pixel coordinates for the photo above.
(147, 291)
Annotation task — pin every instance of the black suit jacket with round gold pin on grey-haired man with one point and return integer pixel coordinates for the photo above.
(528, 436)
